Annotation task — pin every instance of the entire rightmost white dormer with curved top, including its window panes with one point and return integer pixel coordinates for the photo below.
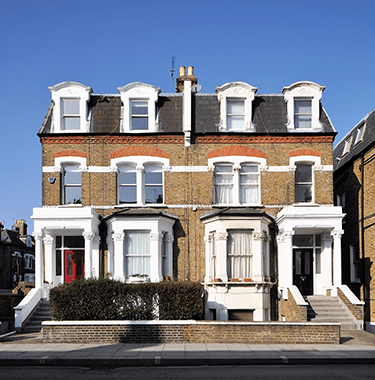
(302, 100)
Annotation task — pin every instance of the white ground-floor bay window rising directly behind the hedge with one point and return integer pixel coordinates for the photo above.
(140, 242)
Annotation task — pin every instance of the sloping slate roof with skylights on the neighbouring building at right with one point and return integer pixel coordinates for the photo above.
(355, 150)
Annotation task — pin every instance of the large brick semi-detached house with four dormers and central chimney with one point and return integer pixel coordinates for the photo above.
(229, 188)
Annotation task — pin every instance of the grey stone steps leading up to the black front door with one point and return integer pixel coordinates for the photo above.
(331, 309)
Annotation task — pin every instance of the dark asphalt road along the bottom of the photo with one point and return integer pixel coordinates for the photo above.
(287, 372)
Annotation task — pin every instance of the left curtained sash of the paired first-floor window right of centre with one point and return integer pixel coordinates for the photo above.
(223, 183)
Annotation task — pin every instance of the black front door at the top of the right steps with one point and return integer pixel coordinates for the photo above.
(303, 270)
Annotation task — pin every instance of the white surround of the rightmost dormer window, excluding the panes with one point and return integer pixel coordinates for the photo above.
(303, 90)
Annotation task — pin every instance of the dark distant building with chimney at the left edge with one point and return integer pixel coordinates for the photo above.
(17, 262)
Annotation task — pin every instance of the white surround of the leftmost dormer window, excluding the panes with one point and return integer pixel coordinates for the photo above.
(70, 91)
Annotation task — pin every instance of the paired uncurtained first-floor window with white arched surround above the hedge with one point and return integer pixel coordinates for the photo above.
(140, 179)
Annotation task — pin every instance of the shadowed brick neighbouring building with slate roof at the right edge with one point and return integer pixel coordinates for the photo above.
(354, 181)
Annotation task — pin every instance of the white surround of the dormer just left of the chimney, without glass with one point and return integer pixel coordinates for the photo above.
(142, 92)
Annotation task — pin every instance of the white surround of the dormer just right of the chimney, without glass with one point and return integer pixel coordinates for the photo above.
(236, 91)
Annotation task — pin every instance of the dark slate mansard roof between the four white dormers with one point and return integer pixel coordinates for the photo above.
(269, 115)
